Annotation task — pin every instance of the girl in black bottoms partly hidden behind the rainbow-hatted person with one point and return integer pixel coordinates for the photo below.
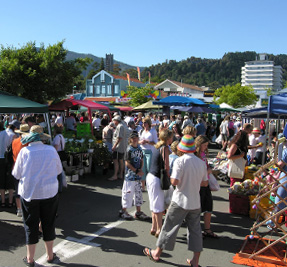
(201, 144)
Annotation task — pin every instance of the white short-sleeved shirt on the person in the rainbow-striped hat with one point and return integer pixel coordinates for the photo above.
(190, 171)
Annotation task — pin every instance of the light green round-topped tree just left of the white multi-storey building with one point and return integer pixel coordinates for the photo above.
(236, 95)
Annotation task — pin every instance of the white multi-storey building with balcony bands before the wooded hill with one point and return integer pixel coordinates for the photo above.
(262, 74)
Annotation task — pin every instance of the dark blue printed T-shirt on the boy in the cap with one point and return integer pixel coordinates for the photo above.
(134, 155)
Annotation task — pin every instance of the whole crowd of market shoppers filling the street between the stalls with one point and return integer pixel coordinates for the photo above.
(140, 145)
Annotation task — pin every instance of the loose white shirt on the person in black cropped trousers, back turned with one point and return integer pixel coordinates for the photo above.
(37, 167)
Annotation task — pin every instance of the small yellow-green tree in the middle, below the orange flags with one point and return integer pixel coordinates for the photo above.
(139, 95)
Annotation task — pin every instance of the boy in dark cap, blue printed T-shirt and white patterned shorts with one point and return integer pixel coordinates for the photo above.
(132, 183)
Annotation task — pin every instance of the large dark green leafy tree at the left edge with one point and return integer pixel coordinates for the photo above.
(39, 74)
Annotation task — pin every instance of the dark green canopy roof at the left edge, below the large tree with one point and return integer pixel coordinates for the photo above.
(15, 104)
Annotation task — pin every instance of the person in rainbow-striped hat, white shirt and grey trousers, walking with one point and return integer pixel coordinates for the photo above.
(188, 174)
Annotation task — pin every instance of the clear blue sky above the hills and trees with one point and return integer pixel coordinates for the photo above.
(142, 33)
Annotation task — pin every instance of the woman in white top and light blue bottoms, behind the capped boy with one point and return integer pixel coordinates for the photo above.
(148, 138)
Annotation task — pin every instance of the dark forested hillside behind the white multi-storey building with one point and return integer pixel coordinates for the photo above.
(209, 72)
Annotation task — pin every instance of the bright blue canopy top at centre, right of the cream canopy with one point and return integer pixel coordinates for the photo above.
(179, 101)
